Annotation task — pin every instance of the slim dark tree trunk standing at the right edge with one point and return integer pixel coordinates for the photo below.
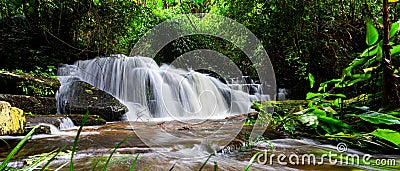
(390, 96)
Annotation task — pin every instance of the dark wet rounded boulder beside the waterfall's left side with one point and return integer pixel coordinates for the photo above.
(82, 97)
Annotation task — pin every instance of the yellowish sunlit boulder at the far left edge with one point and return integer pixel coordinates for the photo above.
(12, 119)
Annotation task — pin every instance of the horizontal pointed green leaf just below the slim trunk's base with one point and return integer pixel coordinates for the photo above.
(379, 118)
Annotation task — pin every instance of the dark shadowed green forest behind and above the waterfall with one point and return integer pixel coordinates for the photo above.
(319, 37)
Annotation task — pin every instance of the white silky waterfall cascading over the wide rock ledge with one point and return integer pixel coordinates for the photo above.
(150, 91)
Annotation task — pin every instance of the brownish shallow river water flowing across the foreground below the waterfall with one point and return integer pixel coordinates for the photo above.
(187, 151)
